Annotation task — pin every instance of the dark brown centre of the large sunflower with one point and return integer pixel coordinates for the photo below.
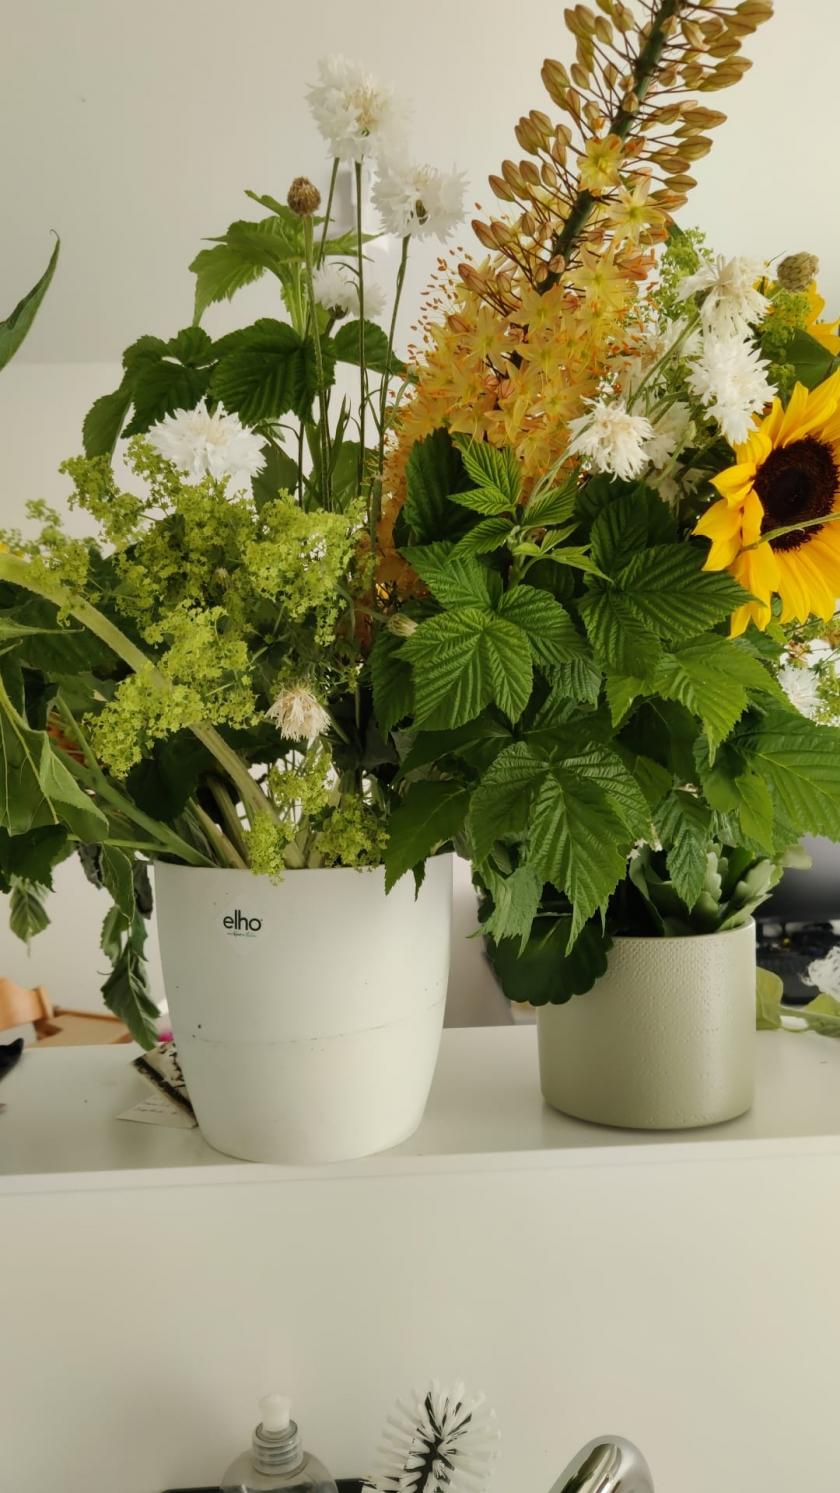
(797, 483)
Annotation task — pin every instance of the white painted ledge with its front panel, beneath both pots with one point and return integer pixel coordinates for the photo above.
(681, 1292)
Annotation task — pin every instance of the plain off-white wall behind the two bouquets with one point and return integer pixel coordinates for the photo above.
(132, 129)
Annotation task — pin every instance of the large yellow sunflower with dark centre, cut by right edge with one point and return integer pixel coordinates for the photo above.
(787, 473)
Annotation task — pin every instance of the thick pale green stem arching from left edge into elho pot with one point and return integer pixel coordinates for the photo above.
(20, 573)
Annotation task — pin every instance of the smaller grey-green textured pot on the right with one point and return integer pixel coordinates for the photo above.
(665, 1040)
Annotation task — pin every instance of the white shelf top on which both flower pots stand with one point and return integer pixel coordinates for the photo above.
(60, 1129)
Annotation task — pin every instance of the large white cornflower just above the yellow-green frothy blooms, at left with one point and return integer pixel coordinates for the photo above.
(202, 444)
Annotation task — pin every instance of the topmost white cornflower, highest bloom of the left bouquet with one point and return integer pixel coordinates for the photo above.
(356, 116)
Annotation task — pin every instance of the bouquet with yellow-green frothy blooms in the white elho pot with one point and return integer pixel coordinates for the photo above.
(192, 682)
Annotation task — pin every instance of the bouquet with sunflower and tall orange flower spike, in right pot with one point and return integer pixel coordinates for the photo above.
(612, 513)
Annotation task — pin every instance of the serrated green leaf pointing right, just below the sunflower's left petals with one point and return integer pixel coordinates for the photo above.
(668, 589)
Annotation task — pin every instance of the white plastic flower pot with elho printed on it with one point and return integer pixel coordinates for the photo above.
(307, 1014)
